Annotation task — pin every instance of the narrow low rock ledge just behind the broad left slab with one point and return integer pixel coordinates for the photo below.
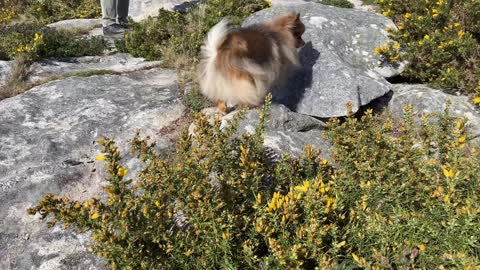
(117, 63)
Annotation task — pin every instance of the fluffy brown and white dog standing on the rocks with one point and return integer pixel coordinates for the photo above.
(240, 66)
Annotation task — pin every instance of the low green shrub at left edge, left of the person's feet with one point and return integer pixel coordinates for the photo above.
(38, 41)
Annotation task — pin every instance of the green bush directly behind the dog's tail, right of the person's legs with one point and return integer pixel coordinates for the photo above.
(177, 37)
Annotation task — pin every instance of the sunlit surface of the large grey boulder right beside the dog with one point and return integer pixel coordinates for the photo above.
(338, 61)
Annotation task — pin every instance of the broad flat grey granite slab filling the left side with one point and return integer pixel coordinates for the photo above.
(47, 144)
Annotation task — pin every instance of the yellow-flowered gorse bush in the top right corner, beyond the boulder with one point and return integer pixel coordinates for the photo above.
(439, 39)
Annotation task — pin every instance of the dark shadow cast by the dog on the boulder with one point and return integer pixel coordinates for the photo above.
(293, 92)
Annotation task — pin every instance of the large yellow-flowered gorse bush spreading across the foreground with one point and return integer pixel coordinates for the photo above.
(402, 195)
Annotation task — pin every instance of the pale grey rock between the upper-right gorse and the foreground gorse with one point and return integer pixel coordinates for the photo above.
(427, 100)
